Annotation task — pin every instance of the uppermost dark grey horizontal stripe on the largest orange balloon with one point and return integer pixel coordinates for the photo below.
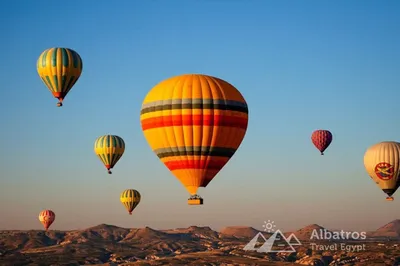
(174, 104)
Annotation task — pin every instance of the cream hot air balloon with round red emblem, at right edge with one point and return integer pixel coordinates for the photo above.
(382, 163)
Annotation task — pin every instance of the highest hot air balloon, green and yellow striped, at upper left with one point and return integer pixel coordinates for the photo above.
(59, 68)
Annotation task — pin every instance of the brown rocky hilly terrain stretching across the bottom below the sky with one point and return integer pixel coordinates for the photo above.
(111, 245)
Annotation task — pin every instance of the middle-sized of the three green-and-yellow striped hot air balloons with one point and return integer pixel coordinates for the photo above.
(109, 148)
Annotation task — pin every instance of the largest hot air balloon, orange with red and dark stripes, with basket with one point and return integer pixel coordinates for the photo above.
(194, 123)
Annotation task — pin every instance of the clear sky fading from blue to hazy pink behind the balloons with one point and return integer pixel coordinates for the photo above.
(301, 65)
